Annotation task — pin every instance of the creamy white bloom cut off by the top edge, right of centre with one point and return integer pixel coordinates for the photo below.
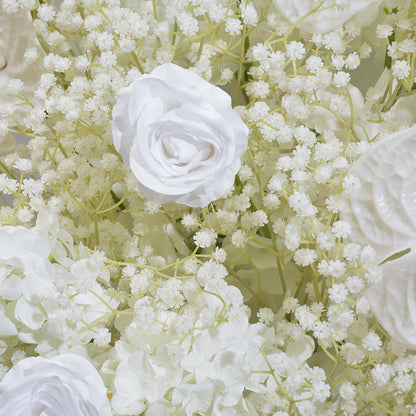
(326, 15)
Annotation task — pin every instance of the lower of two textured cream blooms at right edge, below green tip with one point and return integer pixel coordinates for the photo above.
(393, 300)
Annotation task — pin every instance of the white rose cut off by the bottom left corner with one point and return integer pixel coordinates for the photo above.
(65, 385)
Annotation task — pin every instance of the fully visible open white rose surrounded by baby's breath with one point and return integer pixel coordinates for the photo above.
(179, 136)
